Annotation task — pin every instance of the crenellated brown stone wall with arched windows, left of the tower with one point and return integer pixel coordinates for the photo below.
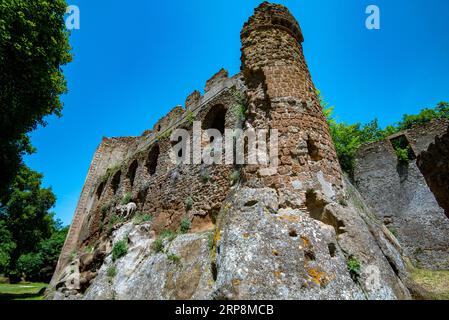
(142, 166)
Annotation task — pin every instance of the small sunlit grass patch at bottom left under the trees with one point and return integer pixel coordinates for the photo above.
(22, 291)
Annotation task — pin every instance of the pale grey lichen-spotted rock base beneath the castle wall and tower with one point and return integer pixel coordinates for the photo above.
(257, 251)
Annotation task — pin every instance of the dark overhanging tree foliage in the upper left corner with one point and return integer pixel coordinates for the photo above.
(33, 47)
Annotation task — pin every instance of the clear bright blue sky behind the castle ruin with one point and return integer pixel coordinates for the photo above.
(135, 60)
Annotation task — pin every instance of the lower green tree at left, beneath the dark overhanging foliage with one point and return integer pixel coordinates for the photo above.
(30, 238)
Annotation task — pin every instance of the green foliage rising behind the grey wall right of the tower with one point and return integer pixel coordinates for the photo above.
(348, 138)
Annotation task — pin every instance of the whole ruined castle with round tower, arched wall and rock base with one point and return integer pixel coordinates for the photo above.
(303, 232)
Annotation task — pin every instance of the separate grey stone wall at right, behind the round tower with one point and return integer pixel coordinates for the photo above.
(402, 199)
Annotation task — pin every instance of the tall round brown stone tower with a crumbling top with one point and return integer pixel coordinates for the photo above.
(282, 96)
